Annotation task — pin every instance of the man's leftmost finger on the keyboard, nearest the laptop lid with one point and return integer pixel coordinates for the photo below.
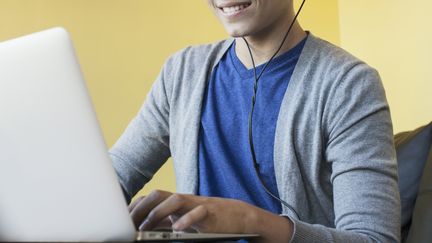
(145, 206)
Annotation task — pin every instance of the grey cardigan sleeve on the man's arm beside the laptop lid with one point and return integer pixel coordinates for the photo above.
(144, 146)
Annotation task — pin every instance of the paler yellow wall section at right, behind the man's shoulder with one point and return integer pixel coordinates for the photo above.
(395, 37)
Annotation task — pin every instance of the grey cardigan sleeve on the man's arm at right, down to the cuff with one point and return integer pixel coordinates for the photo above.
(364, 169)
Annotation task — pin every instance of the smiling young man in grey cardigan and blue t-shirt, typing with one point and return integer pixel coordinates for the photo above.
(322, 137)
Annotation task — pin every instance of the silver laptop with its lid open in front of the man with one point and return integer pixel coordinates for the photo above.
(56, 179)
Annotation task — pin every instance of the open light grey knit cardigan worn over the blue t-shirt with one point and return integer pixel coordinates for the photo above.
(334, 155)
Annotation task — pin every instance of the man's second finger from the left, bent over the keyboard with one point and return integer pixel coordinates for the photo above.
(176, 203)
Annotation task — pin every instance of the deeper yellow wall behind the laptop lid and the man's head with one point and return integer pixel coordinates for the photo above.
(121, 45)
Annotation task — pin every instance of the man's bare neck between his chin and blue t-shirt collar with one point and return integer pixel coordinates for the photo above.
(264, 45)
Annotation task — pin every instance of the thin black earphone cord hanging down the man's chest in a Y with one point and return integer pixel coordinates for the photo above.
(255, 89)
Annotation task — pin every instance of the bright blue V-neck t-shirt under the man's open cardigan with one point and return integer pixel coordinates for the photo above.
(225, 161)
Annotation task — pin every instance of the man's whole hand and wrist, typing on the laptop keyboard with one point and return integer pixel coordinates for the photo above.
(209, 214)
